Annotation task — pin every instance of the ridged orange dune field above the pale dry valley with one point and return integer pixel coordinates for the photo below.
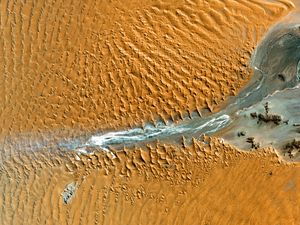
(112, 64)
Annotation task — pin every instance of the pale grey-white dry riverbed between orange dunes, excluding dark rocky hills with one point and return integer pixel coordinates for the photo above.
(276, 70)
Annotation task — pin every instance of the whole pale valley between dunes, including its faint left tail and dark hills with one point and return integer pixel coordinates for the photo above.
(276, 76)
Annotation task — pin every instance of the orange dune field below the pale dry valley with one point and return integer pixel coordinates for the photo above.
(213, 184)
